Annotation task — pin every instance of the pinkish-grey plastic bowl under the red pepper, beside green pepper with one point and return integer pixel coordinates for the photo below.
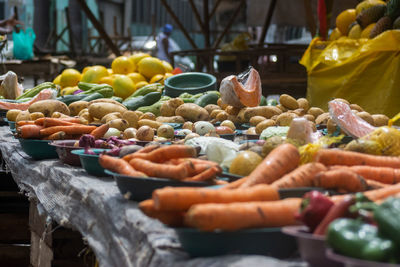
(312, 248)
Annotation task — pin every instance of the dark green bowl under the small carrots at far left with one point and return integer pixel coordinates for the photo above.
(38, 149)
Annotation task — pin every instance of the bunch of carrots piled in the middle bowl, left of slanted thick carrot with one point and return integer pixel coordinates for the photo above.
(174, 162)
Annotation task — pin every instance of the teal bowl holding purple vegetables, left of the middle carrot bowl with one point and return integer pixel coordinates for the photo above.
(91, 162)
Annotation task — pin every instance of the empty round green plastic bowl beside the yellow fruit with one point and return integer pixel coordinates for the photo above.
(190, 82)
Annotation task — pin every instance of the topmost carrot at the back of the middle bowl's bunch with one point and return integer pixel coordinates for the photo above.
(165, 153)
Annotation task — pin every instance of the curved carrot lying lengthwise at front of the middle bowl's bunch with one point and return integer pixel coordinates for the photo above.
(152, 169)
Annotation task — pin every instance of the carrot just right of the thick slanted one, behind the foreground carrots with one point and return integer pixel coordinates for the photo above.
(303, 176)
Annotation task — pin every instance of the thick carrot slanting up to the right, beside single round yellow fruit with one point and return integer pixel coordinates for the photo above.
(280, 161)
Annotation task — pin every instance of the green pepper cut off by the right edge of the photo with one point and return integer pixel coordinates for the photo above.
(387, 215)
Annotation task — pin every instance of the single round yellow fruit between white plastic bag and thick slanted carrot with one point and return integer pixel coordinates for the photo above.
(244, 163)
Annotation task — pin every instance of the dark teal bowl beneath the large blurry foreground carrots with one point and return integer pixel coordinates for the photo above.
(261, 241)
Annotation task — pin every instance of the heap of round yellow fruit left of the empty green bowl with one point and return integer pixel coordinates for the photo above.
(126, 75)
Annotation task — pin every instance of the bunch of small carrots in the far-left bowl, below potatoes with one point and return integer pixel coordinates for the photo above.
(57, 129)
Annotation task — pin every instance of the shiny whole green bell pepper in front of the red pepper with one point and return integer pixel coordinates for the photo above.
(357, 239)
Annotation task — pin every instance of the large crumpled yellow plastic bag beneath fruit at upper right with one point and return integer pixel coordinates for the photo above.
(365, 72)
